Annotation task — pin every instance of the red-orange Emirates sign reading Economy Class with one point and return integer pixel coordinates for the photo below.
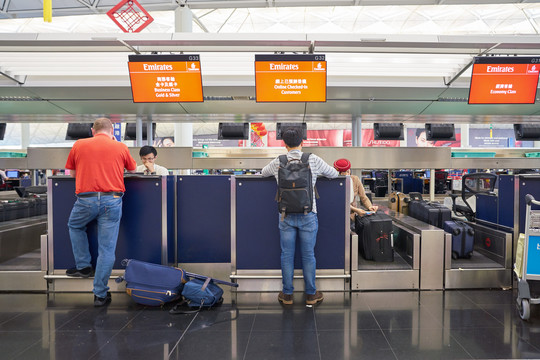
(504, 80)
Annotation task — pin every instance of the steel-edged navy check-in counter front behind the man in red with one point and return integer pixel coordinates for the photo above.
(146, 229)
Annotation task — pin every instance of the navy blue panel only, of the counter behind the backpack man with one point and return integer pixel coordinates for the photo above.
(257, 233)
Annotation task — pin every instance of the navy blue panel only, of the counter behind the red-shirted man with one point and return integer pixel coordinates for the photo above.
(140, 235)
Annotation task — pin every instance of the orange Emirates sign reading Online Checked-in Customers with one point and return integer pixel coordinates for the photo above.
(290, 78)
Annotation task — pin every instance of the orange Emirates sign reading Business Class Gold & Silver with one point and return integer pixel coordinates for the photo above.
(165, 78)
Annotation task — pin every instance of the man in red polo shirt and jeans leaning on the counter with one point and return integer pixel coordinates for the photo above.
(98, 165)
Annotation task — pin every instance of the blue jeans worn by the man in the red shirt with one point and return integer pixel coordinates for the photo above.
(108, 212)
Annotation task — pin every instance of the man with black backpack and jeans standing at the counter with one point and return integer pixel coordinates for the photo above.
(296, 174)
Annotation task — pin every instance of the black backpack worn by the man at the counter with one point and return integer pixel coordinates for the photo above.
(295, 186)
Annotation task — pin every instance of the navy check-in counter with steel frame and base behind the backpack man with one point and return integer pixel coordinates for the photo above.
(255, 241)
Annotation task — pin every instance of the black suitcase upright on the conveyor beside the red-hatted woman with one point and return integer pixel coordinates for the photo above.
(375, 241)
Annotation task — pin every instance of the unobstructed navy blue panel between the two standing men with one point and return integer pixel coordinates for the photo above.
(204, 219)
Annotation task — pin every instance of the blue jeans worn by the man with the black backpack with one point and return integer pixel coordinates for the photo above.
(304, 228)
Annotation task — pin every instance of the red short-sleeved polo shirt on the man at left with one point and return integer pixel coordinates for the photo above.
(99, 164)
